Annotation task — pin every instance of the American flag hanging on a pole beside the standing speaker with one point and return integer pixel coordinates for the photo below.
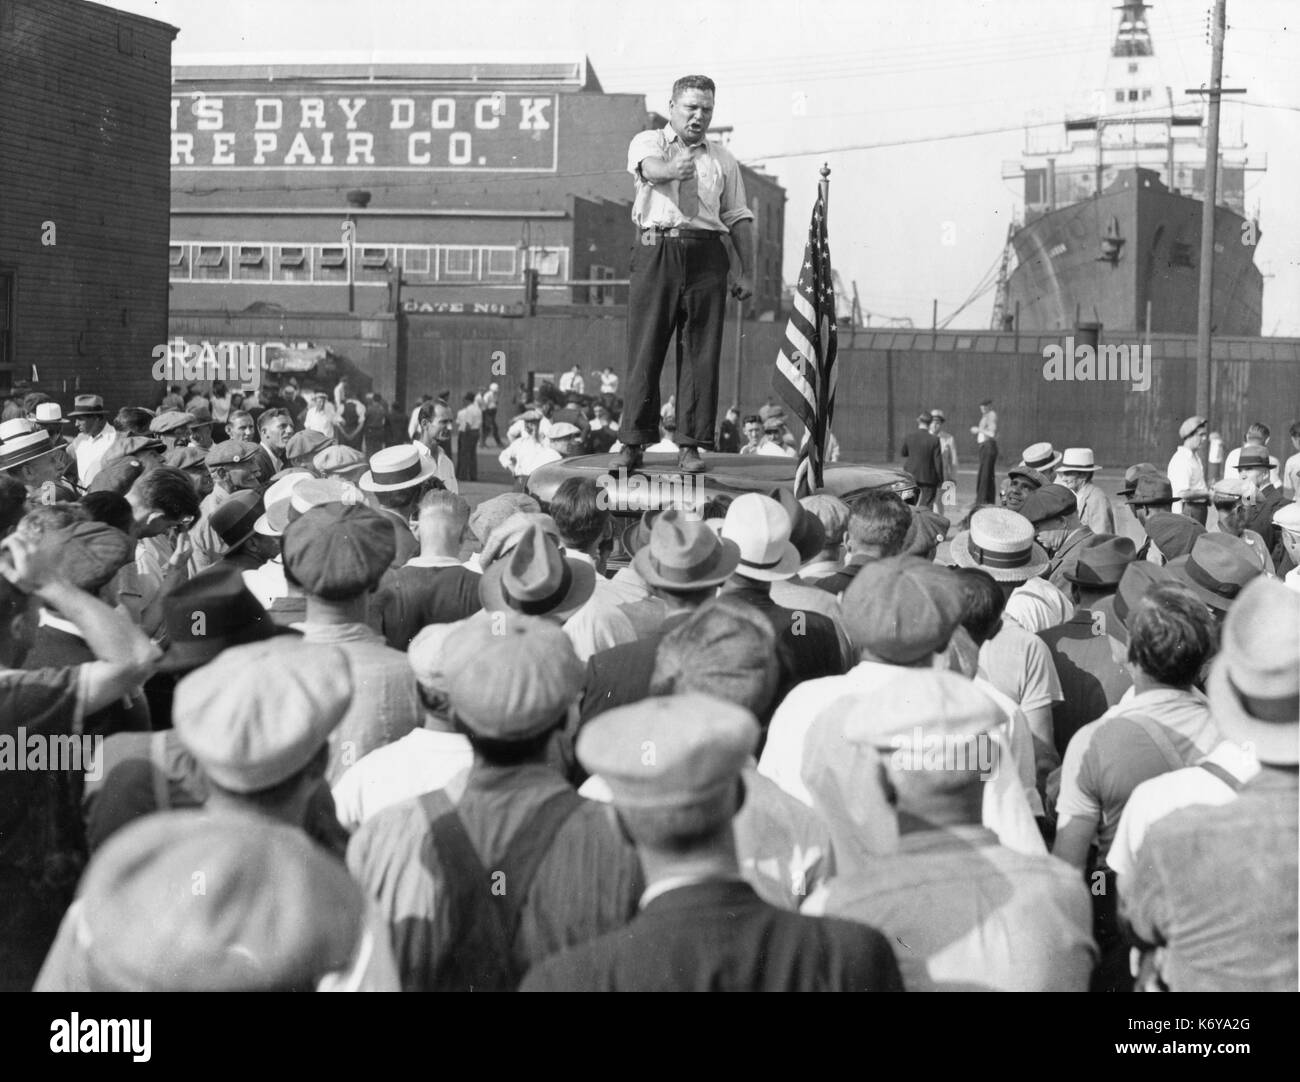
(805, 369)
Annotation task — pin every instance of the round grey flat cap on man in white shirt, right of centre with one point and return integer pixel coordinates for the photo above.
(903, 609)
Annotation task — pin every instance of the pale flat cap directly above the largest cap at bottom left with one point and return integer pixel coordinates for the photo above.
(259, 713)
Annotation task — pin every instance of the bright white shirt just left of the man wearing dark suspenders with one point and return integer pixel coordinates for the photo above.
(422, 761)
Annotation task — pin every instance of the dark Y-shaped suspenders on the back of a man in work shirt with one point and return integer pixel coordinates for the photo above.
(487, 904)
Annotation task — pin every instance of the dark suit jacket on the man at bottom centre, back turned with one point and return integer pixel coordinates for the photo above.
(721, 937)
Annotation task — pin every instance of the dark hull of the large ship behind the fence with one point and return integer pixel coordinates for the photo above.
(1063, 279)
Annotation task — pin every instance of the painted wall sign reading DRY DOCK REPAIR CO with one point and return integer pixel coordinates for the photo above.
(357, 129)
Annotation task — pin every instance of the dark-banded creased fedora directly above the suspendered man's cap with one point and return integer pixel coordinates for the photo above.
(536, 579)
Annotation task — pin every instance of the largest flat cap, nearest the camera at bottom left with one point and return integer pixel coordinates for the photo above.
(276, 912)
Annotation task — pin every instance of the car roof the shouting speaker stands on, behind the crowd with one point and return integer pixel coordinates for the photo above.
(658, 484)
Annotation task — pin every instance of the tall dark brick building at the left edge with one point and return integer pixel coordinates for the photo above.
(85, 193)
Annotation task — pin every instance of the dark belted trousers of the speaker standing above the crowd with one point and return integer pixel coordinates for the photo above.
(678, 285)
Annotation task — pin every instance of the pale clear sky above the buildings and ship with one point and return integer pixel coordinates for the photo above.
(886, 92)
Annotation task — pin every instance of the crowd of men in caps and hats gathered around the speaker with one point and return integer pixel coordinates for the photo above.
(760, 745)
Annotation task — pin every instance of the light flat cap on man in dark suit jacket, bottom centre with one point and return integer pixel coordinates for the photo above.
(670, 752)
